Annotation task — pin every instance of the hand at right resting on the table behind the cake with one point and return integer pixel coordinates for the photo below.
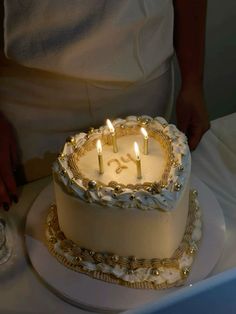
(191, 113)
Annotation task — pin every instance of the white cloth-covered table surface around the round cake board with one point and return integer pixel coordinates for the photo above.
(214, 162)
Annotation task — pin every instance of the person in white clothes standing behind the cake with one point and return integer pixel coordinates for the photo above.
(71, 64)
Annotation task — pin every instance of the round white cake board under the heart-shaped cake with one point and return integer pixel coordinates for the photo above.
(95, 295)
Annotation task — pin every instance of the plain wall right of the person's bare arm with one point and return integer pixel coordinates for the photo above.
(220, 62)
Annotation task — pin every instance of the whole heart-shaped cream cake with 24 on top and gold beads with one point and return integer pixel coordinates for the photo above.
(122, 216)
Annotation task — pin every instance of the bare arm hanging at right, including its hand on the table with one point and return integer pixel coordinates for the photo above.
(189, 39)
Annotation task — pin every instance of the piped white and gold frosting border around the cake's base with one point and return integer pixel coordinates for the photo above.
(129, 271)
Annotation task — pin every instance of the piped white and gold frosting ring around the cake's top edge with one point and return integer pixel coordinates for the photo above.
(160, 195)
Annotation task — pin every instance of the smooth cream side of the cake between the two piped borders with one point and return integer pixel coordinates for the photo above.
(130, 231)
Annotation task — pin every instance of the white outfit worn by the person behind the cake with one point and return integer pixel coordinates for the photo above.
(80, 62)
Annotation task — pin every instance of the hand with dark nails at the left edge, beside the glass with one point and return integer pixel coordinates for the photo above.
(8, 162)
